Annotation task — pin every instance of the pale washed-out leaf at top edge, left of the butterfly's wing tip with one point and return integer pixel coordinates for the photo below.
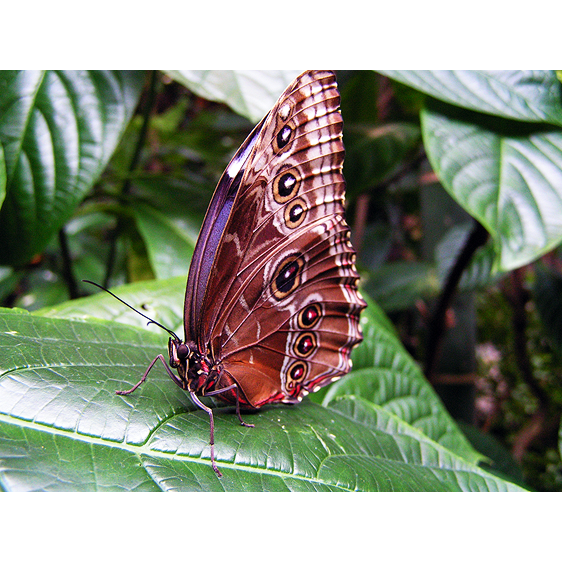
(251, 93)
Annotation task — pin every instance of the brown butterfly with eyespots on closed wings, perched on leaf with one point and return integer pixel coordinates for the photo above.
(271, 306)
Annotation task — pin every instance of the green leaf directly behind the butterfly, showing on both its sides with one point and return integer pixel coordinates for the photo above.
(399, 383)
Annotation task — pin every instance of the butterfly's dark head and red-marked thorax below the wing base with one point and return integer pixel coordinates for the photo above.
(195, 371)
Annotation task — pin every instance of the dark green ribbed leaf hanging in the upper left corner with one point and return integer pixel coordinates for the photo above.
(58, 130)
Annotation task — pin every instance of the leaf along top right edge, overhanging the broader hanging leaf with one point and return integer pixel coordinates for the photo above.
(525, 95)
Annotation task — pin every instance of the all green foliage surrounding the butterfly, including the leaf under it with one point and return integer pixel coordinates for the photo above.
(455, 199)
